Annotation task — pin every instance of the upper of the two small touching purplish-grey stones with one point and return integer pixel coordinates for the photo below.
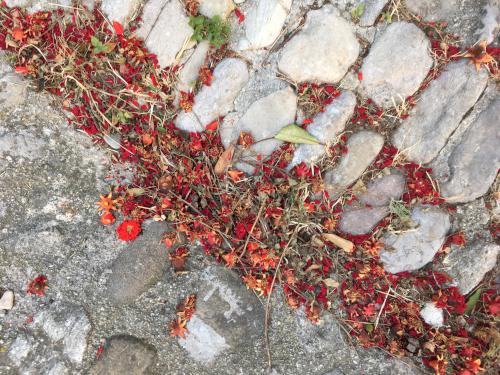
(382, 190)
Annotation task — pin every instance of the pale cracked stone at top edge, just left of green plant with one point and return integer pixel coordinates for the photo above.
(165, 29)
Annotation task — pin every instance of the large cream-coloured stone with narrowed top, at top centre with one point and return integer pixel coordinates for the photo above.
(322, 51)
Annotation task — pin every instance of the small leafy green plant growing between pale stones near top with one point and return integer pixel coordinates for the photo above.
(215, 30)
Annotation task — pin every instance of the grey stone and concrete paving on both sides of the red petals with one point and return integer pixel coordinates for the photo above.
(103, 292)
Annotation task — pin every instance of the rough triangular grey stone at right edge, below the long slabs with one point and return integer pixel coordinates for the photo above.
(468, 265)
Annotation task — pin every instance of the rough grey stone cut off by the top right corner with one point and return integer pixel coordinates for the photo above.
(464, 17)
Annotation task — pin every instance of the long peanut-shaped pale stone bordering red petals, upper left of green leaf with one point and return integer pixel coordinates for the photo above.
(215, 100)
